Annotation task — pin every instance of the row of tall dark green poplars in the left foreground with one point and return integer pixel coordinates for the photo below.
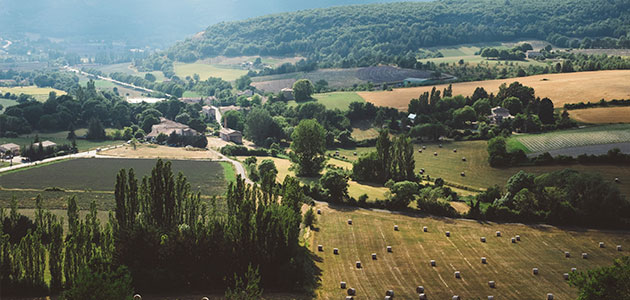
(167, 237)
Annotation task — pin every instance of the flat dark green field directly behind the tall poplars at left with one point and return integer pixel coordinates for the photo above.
(99, 174)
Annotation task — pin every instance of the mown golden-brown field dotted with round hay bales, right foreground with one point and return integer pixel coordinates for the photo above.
(509, 265)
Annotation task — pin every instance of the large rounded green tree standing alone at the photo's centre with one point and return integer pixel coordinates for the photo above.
(309, 147)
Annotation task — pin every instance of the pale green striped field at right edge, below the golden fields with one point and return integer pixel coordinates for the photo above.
(594, 135)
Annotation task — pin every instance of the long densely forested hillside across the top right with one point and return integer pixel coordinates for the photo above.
(368, 34)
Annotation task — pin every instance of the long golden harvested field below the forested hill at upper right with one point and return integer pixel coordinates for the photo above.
(561, 88)
